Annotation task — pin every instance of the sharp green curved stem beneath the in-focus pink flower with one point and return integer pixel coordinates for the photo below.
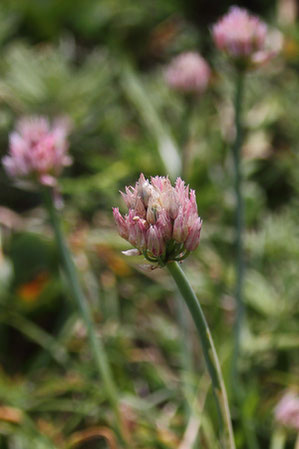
(208, 348)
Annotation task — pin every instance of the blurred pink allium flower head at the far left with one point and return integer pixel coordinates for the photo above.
(38, 150)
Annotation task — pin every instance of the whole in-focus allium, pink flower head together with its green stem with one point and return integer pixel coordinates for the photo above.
(163, 225)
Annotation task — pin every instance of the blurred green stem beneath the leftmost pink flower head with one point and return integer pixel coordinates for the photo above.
(96, 344)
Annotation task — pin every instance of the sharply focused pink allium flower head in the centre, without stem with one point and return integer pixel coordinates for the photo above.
(162, 221)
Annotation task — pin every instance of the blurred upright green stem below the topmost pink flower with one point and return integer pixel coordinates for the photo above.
(239, 224)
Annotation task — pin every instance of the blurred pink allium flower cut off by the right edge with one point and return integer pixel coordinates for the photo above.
(287, 411)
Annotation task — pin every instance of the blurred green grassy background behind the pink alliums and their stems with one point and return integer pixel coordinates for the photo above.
(101, 63)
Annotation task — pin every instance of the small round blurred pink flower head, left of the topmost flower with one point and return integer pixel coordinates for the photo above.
(188, 72)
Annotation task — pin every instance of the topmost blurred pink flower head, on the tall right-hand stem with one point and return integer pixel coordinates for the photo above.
(242, 36)
